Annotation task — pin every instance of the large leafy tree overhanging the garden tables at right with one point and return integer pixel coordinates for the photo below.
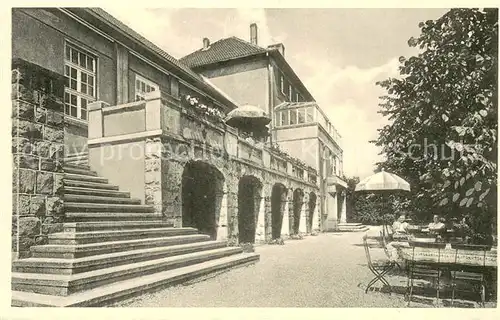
(443, 109)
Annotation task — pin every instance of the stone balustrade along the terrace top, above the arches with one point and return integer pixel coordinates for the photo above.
(162, 114)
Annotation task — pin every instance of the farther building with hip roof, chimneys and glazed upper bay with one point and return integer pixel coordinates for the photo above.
(261, 76)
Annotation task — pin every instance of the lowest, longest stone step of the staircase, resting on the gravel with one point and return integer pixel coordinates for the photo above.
(127, 288)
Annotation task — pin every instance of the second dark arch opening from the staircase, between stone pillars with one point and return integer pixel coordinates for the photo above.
(249, 205)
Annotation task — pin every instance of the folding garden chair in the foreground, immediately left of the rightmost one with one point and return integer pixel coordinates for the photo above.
(426, 270)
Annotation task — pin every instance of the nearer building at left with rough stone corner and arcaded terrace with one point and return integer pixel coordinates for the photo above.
(85, 83)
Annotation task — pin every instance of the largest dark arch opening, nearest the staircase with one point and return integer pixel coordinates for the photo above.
(203, 197)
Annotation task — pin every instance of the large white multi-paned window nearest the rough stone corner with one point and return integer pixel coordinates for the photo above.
(80, 87)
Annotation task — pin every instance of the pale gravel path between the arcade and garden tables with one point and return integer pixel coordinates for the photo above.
(328, 270)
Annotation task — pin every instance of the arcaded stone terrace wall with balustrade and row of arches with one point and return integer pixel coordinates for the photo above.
(243, 179)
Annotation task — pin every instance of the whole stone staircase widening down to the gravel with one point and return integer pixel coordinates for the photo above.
(113, 247)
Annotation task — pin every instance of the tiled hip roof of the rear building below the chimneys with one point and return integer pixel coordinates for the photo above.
(222, 50)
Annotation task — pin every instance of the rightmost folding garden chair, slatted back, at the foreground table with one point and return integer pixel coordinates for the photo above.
(467, 275)
